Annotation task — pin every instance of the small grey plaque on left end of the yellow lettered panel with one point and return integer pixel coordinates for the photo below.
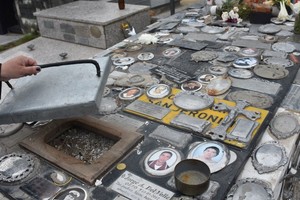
(148, 109)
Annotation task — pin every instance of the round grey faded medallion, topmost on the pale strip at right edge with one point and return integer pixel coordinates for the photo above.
(284, 125)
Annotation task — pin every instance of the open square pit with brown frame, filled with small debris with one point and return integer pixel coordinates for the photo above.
(71, 145)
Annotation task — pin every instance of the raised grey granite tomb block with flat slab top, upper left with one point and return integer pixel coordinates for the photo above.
(91, 23)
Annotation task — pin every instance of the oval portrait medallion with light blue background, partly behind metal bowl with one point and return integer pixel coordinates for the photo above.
(214, 154)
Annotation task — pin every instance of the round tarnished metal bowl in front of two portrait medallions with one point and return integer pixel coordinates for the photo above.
(191, 177)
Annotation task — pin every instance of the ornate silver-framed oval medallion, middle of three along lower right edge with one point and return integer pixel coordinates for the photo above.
(268, 157)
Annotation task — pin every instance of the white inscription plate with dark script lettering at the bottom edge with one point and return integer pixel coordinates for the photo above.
(135, 187)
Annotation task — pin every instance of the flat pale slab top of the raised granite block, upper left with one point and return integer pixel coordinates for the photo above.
(98, 12)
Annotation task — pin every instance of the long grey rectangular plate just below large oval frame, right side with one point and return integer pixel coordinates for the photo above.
(257, 85)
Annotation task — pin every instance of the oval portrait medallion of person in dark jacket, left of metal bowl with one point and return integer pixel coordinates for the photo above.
(161, 161)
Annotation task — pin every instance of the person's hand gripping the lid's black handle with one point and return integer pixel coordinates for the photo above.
(18, 67)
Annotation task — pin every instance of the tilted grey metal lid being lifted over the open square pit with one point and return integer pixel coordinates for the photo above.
(56, 93)
